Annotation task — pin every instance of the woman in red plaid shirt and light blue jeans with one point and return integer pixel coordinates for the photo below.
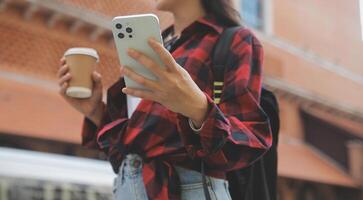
(158, 152)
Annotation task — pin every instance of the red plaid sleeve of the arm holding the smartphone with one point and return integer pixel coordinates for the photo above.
(236, 132)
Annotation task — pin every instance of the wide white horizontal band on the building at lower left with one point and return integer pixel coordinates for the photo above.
(26, 164)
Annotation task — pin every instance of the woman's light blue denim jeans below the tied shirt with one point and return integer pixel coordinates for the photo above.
(129, 185)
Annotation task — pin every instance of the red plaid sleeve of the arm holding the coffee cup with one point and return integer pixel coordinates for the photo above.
(116, 108)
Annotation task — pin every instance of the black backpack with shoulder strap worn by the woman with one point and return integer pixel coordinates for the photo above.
(258, 181)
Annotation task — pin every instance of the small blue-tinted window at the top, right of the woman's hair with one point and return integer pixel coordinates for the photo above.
(252, 13)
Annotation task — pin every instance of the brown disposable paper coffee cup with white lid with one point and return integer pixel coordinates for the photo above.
(81, 63)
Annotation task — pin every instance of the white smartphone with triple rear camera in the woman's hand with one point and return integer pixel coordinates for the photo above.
(133, 31)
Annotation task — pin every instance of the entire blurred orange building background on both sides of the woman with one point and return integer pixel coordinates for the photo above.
(313, 63)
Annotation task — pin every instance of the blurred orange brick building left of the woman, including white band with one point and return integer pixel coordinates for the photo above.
(34, 34)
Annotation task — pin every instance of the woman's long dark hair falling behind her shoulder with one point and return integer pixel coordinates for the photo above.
(223, 11)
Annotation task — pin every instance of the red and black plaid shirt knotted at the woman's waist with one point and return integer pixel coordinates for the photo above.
(237, 126)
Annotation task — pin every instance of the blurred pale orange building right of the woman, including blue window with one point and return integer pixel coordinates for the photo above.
(313, 62)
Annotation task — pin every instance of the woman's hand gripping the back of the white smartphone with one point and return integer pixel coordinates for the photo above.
(175, 89)
